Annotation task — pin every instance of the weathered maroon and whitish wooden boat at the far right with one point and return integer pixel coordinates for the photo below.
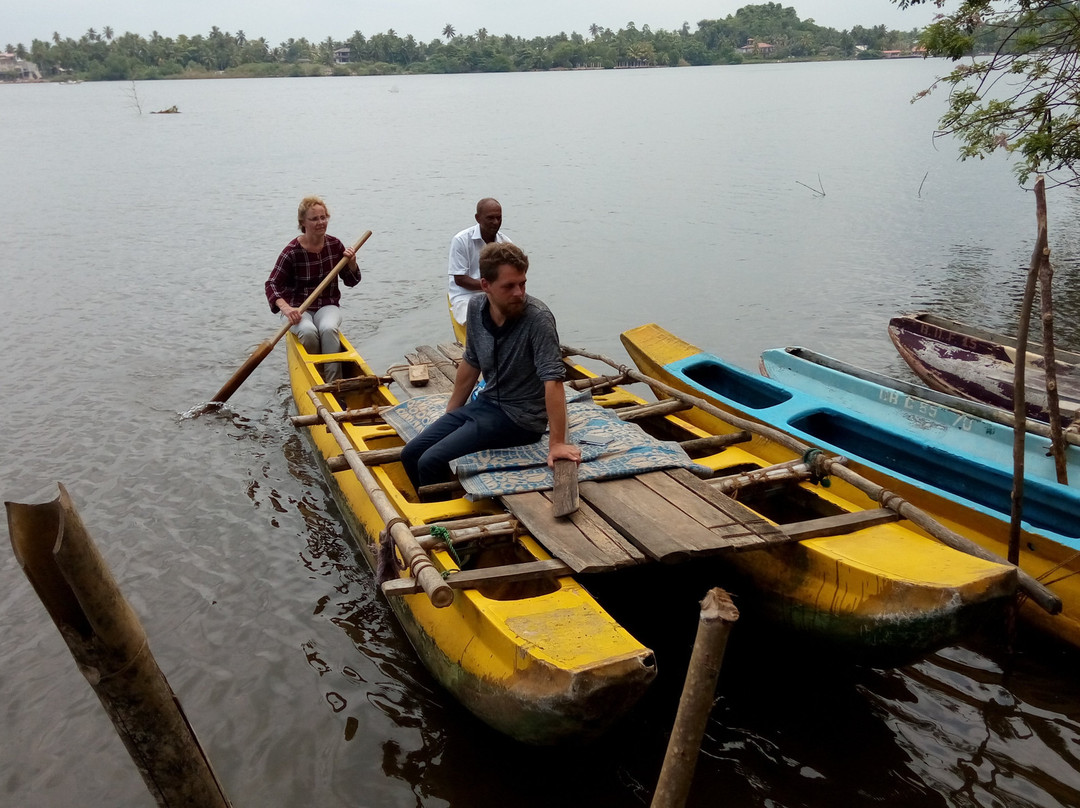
(979, 365)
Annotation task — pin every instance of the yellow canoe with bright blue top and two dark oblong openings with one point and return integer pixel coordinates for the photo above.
(969, 496)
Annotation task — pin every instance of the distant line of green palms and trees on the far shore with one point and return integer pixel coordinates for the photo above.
(103, 56)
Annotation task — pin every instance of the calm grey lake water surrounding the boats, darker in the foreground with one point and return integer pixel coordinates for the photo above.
(134, 251)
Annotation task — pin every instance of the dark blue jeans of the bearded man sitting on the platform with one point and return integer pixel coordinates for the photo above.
(479, 425)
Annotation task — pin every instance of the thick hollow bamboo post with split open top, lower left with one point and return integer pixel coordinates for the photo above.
(110, 647)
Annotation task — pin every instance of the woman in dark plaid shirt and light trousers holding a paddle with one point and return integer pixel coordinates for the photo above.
(305, 262)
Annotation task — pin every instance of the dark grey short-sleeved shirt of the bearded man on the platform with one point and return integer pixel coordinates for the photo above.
(517, 359)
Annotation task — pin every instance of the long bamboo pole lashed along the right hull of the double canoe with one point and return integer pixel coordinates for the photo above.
(1034, 589)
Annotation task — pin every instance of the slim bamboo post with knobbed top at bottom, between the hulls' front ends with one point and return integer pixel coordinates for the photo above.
(719, 615)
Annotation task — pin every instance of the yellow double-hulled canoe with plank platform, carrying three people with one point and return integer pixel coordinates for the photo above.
(515, 635)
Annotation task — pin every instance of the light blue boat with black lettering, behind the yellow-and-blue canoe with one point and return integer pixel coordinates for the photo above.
(966, 428)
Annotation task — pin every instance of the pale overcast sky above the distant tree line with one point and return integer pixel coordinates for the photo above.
(24, 21)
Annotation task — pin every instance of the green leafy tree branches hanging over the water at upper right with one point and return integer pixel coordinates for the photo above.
(1018, 85)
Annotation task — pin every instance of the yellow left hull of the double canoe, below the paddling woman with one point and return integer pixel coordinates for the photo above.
(543, 669)
